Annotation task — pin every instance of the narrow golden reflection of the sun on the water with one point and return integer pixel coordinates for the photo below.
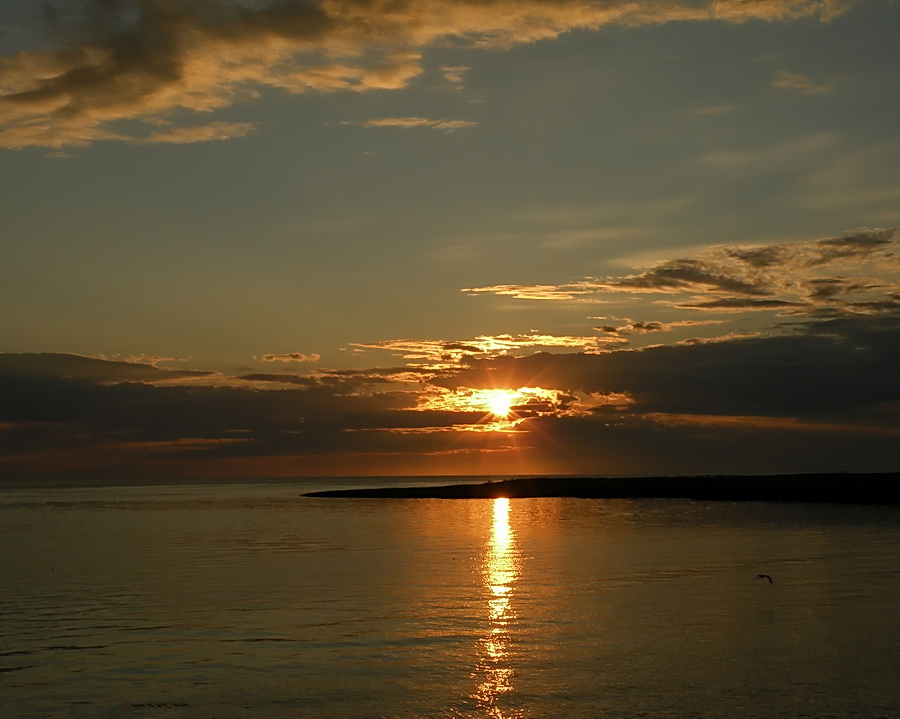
(500, 570)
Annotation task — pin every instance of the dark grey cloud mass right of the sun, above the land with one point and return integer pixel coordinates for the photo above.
(841, 369)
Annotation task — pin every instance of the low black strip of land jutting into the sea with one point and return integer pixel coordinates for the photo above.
(836, 488)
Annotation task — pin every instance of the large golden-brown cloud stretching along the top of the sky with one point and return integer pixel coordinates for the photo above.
(149, 61)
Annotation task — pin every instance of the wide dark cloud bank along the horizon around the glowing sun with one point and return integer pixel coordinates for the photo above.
(823, 392)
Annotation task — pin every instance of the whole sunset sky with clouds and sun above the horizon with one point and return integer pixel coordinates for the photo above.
(448, 237)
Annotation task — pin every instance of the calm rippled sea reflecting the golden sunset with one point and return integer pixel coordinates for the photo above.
(245, 599)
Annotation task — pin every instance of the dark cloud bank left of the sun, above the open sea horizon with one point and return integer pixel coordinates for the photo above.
(60, 406)
